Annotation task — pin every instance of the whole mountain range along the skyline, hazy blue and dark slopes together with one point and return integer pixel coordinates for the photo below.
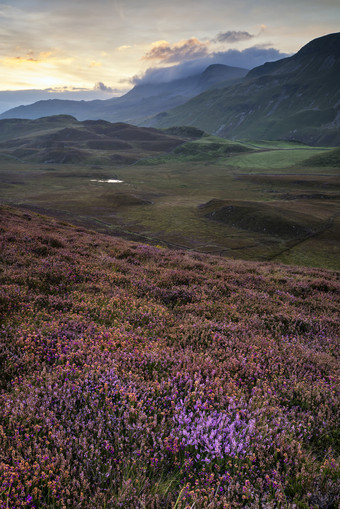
(296, 98)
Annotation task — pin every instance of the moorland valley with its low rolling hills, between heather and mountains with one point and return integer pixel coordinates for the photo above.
(178, 187)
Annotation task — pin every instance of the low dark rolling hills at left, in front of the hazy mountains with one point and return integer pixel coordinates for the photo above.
(64, 139)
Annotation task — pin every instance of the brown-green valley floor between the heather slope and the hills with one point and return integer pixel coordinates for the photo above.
(162, 198)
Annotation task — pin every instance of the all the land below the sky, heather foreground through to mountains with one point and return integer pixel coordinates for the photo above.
(169, 298)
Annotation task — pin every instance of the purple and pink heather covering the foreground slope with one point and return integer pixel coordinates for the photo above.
(139, 377)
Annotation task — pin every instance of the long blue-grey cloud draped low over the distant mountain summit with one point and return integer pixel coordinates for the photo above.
(247, 59)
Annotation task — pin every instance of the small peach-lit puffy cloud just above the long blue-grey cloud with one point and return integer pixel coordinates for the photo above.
(183, 50)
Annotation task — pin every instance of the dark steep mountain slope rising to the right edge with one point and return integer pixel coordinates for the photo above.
(296, 98)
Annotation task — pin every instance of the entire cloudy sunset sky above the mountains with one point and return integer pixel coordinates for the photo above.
(97, 49)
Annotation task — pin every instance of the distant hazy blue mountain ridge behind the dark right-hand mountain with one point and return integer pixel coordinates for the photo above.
(143, 101)
